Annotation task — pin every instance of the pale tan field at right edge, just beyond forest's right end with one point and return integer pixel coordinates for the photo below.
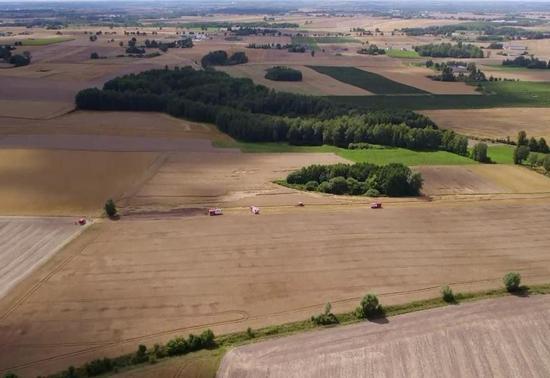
(494, 123)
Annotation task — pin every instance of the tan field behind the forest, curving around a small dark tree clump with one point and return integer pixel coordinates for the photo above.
(313, 83)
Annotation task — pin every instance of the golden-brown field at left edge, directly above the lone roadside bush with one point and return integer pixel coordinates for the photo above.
(42, 182)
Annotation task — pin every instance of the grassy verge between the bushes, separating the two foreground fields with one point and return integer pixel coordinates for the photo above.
(206, 362)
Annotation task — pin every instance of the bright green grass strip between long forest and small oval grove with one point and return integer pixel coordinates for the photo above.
(375, 156)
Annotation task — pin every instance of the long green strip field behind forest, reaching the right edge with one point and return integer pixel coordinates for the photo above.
(495, 94)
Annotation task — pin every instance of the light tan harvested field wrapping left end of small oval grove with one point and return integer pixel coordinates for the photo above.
(225, 177)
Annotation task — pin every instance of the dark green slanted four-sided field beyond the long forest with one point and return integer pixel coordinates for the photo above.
(367, 80)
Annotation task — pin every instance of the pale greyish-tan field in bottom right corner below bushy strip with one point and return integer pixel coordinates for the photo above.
(506, 337)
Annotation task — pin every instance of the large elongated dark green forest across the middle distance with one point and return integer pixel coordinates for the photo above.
(254, 113)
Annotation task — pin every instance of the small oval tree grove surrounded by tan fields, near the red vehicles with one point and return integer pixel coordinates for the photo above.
(394, 180)
